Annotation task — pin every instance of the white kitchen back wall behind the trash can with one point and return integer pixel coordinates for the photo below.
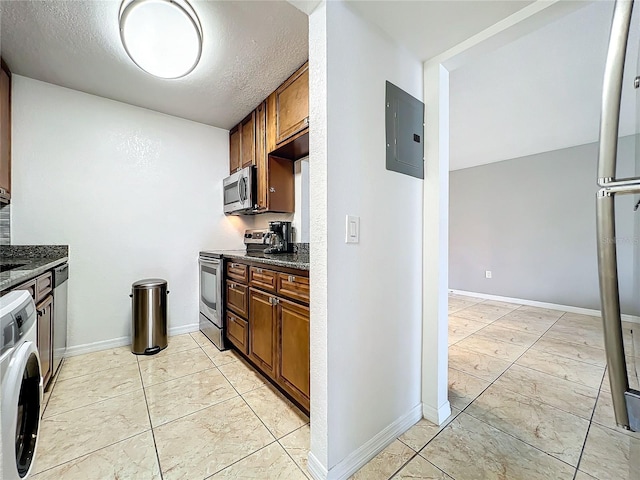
(133, 192)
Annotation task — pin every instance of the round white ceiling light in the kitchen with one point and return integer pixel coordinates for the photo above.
(162, 37)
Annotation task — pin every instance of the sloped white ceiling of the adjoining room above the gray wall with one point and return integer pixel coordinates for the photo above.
(539, 93)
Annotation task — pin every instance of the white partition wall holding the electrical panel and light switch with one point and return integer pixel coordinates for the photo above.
(374, 288)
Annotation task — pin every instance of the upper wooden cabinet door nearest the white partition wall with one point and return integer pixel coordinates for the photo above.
(292, 105)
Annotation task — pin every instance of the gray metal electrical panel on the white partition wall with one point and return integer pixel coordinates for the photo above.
(405, 131)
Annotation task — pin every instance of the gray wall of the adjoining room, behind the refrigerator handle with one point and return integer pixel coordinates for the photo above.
(537, 232)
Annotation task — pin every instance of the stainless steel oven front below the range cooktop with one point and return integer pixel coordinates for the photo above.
(211, 320)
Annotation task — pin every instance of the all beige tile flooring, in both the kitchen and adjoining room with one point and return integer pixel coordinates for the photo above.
(528, 389)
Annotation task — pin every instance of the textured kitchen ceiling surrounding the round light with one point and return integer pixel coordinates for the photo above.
(249, 49)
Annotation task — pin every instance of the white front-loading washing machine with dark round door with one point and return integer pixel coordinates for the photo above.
(21, 385)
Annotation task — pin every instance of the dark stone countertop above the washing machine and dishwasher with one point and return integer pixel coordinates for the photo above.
(35, 260)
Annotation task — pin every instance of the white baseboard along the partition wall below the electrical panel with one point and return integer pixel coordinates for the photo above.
(359, 458)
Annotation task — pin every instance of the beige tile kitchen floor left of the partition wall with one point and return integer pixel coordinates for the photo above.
(189, 412)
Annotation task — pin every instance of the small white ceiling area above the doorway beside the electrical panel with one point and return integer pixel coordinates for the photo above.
(429, 27)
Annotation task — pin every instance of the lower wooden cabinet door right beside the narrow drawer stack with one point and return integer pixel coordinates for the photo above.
(262, 330)
